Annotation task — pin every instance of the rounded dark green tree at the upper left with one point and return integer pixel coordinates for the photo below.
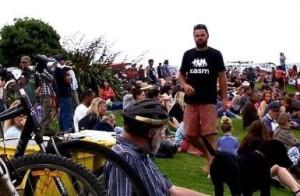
(27, 36)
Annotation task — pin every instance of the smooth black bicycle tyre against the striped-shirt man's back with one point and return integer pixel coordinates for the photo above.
(76, 145)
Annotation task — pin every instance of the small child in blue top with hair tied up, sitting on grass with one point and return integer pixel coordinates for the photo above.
(227, 142)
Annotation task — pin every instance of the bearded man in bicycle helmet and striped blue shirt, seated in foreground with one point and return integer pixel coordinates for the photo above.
(144, 124)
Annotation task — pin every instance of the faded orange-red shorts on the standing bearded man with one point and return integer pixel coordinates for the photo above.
(200, 119)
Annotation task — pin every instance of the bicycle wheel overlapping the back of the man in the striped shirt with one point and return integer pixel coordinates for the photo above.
(84, 151)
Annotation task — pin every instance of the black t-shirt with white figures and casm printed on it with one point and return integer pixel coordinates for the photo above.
(201, 69)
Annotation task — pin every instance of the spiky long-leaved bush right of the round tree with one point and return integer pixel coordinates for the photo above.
(92, 63)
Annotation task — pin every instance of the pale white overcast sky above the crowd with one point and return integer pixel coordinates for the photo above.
(242, 30)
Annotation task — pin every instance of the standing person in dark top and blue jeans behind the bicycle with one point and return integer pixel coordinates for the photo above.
(64, 94)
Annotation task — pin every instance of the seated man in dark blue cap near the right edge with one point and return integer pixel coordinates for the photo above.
(270, 119)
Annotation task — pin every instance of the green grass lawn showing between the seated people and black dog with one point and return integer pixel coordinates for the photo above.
(185, 170)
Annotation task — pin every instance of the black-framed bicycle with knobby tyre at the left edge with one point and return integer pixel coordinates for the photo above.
(66, 176)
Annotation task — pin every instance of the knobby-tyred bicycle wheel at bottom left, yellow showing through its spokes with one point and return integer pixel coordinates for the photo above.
(49, 174)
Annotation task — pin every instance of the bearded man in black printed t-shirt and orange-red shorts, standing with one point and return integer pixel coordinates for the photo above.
(200, 69)
